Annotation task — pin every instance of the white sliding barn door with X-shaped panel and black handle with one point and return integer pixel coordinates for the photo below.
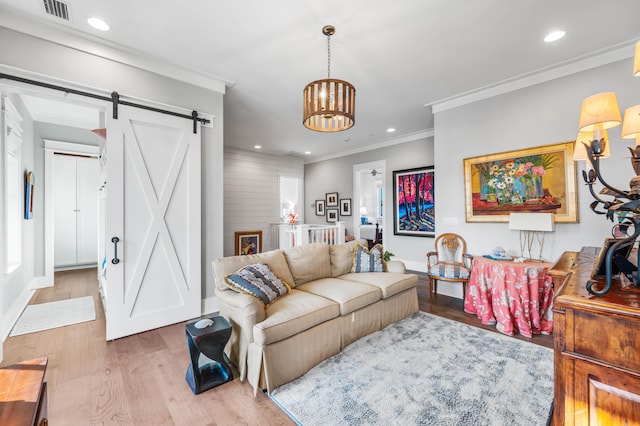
(153, 208)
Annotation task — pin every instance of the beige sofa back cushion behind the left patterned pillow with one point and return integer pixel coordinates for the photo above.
(228, 265)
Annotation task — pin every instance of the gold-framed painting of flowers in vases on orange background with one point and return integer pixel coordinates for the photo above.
(540, 179)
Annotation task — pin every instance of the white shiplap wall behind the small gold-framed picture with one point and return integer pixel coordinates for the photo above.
(251, 193)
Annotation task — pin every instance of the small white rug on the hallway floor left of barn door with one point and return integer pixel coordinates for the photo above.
(45, 316)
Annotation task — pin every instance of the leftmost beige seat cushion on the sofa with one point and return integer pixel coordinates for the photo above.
(293, 314)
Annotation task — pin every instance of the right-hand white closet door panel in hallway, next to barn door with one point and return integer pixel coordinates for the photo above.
(87, 206)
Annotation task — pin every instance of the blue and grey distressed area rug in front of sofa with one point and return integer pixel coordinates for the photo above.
(426, 370)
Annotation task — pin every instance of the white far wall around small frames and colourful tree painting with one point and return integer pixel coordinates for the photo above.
(336, 175)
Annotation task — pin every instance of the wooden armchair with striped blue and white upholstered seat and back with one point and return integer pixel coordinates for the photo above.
(450, 262)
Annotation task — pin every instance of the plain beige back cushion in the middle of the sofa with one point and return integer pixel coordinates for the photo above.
(308, 262)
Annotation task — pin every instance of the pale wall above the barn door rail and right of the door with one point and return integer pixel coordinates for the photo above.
(21, 53)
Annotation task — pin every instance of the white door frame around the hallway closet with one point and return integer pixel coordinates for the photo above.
(52, 147)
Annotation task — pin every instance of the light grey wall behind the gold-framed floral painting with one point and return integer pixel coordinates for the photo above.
(539, 115)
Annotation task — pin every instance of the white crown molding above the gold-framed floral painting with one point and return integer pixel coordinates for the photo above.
(603, 57)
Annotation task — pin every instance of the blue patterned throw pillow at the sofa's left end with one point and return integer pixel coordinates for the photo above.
(259, 281)
